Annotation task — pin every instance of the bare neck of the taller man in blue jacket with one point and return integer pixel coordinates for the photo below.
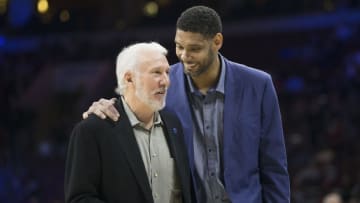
(209, 78)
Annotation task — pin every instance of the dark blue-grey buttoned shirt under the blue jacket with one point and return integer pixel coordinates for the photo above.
(208, 134)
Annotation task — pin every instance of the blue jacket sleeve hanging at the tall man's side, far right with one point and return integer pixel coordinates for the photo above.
(273, 162)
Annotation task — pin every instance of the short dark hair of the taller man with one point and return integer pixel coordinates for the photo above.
(200, 19)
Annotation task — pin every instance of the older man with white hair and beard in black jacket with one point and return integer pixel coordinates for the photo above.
(140, 158)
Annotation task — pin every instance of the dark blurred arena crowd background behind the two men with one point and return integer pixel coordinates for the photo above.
(58, 56)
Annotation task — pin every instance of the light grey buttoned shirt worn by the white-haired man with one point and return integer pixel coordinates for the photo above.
(159, 165)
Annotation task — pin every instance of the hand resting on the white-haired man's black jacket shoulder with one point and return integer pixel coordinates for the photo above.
(103, 108)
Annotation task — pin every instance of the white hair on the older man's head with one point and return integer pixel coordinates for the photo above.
(128, 60)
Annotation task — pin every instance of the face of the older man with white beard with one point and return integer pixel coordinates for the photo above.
(151, 80)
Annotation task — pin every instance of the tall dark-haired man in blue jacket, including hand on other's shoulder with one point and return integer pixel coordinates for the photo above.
(230, 116)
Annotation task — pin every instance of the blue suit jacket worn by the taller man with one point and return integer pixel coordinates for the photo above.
(255, 165)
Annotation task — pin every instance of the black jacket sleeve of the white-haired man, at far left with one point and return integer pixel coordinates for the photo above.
(82, 171)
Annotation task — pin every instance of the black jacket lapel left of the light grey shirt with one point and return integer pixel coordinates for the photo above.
(128, 143)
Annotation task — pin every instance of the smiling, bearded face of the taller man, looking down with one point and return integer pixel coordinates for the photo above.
(197, 53)
